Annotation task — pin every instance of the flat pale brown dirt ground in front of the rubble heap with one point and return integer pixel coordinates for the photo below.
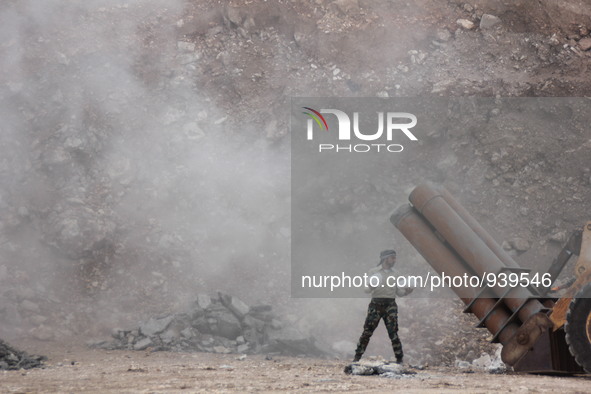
(77, 369)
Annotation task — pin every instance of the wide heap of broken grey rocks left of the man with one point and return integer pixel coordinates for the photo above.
(220, 324)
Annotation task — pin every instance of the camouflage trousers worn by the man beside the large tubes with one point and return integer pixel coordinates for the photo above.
(381, 308)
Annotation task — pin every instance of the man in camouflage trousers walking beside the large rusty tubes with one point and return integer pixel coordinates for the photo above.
(382, 305)
